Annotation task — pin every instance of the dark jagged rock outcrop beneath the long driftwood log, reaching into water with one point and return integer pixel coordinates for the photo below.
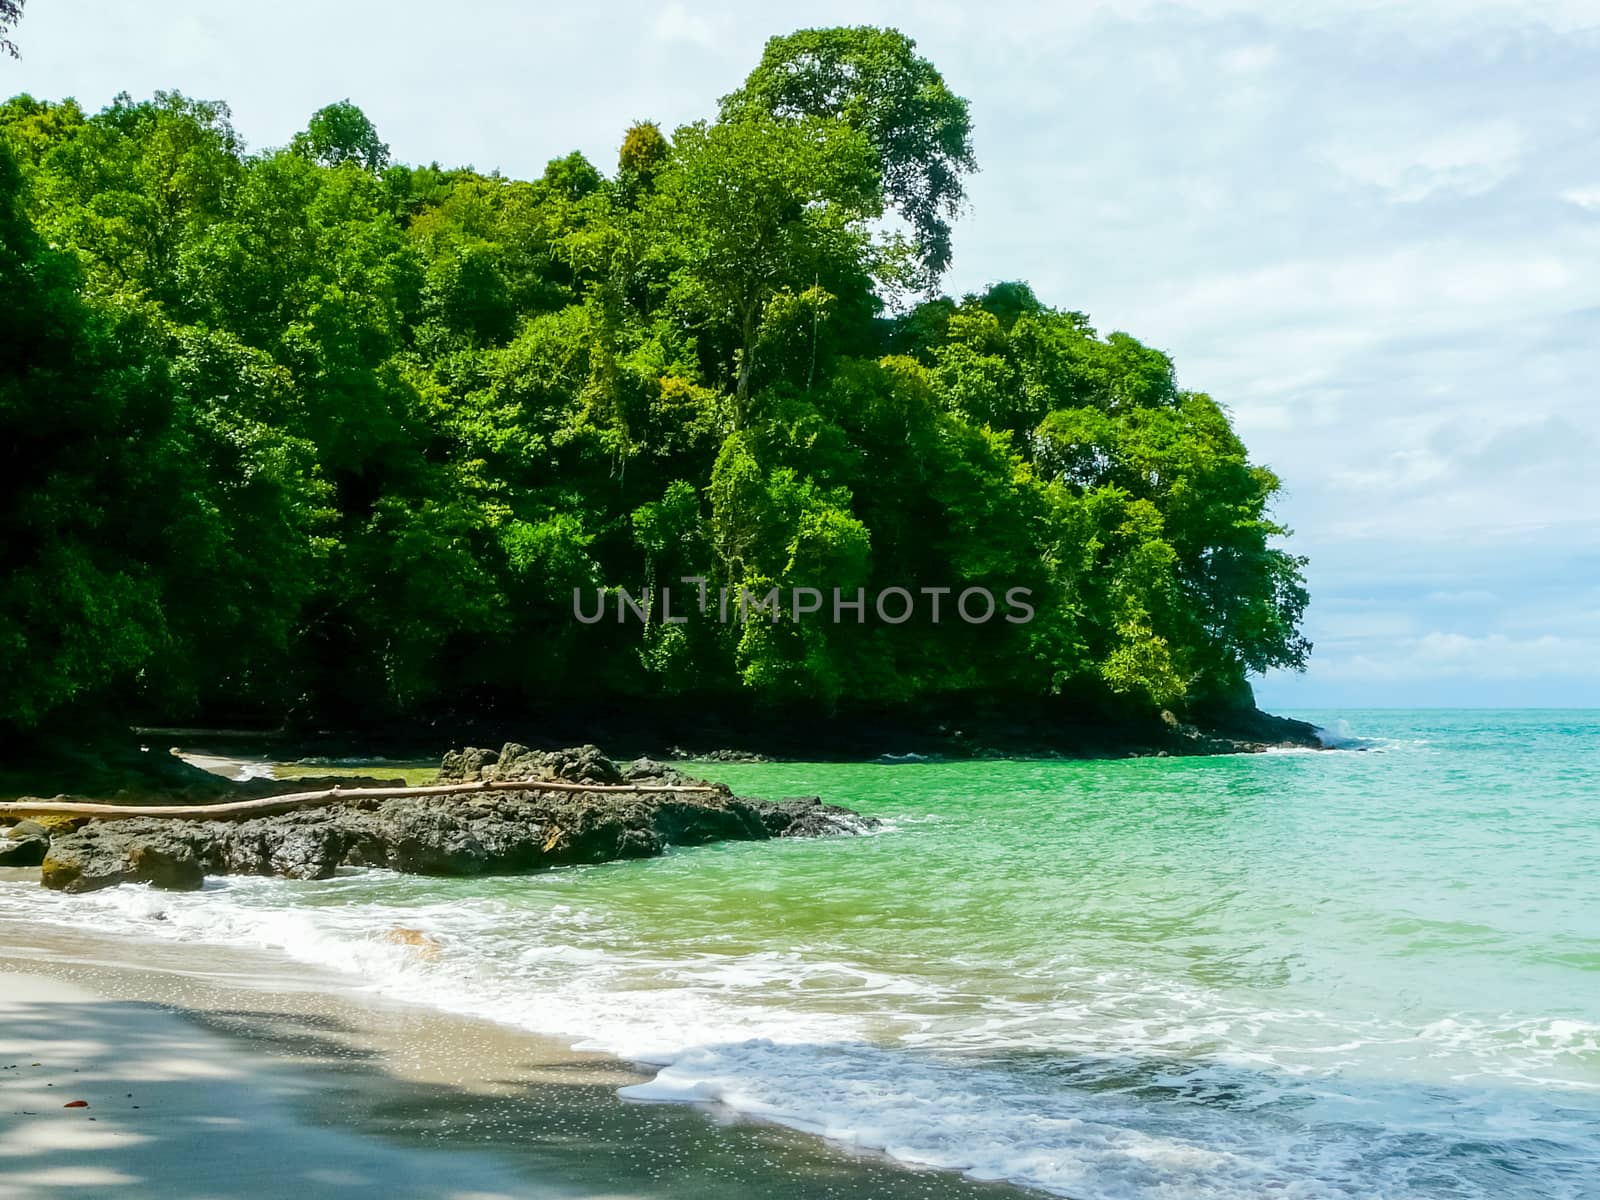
(476, 834)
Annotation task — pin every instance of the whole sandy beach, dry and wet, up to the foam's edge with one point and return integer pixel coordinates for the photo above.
(241, 1052)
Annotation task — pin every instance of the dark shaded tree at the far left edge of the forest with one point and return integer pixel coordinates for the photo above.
(84, 414)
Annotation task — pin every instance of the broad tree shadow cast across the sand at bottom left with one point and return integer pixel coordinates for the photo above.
(255, 1103)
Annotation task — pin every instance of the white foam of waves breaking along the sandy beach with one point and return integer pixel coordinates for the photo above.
(1111, 1087)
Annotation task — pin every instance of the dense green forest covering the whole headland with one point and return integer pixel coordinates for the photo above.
(308, 433)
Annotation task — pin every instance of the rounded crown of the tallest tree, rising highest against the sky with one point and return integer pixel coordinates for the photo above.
(874, 81)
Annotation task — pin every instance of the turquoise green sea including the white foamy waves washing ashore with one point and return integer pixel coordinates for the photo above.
(1358, 974)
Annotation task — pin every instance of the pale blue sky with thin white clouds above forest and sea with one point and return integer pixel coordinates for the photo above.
(1372, 230)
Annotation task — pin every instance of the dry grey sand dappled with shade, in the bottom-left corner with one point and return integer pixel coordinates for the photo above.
(124, 1097)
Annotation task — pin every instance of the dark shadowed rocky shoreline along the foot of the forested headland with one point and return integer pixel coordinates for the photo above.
(94, 761)
